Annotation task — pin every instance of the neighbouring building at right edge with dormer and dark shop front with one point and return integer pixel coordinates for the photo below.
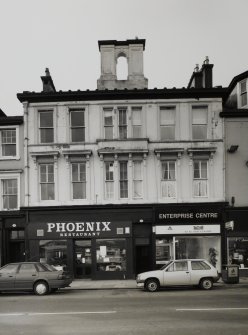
(235, 115)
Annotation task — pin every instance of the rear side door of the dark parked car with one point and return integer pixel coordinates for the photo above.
(26, 276)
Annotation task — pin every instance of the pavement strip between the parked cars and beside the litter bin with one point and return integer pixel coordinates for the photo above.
(88, 284)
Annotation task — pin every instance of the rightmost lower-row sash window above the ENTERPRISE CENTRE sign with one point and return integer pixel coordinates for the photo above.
(200, 182)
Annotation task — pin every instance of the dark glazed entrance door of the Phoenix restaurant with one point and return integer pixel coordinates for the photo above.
(82, 258)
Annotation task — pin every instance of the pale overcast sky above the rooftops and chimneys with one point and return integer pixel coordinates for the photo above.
(63, 36)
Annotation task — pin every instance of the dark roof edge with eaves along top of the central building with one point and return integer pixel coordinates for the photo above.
(125, 94)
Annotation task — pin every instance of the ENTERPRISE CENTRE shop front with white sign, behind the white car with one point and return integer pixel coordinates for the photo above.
(188, 231)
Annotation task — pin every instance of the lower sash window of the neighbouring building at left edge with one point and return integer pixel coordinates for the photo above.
(9, 194)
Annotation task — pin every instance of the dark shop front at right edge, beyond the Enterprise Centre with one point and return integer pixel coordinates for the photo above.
(236, 230)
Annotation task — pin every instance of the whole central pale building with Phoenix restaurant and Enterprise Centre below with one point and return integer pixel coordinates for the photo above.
(121, 179)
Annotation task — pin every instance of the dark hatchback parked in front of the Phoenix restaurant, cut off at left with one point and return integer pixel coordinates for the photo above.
(32, 276)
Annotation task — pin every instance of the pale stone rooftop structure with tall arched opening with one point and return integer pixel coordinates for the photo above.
(111, 51)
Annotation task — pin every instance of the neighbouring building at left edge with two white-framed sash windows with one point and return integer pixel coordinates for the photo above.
(12, 222)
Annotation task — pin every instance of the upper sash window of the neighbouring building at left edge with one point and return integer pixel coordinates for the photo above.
(8, 142)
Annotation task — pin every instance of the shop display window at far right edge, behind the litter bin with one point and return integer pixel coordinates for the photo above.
(238, 251)
